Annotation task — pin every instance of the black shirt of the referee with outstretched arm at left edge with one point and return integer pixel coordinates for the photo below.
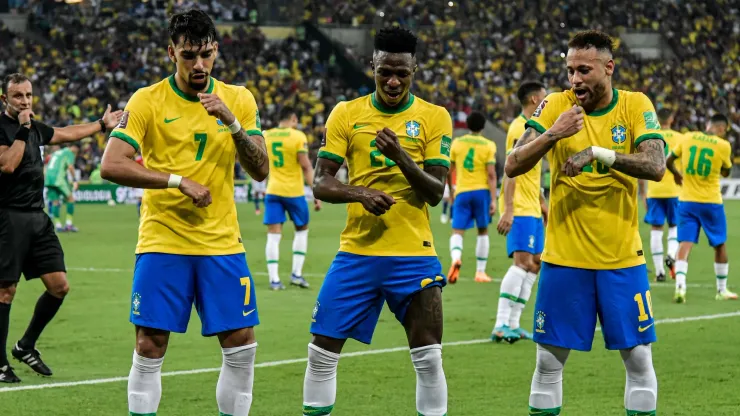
(24, 188)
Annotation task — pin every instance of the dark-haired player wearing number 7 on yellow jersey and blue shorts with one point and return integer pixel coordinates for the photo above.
(190, 128)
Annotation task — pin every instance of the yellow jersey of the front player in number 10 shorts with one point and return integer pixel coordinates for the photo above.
(593, 217)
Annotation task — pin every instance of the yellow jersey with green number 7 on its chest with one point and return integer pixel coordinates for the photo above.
(176, 135)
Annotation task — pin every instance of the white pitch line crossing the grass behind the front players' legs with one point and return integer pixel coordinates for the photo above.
(303, 360)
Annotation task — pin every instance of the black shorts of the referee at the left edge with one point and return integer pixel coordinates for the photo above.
(28, 245)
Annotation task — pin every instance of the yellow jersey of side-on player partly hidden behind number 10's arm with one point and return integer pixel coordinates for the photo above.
(527, 191)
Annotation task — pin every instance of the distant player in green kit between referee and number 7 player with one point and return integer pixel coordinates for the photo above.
(60, 166)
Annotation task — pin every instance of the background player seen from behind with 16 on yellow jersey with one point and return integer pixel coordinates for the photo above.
(704, 158)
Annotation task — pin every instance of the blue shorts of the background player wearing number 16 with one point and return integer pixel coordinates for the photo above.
(693, 216)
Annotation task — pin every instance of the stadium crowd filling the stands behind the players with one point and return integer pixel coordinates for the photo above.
(472, 56)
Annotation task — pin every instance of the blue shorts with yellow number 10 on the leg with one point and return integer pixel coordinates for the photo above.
(569, 300)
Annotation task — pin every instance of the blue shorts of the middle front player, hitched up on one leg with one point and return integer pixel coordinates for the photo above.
(355, 288)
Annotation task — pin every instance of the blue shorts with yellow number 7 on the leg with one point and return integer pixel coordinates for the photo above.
(166, 285)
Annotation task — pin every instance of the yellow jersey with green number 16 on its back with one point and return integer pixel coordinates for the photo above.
(702, 157)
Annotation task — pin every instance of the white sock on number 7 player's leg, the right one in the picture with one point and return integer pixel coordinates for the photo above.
(234, 387)
